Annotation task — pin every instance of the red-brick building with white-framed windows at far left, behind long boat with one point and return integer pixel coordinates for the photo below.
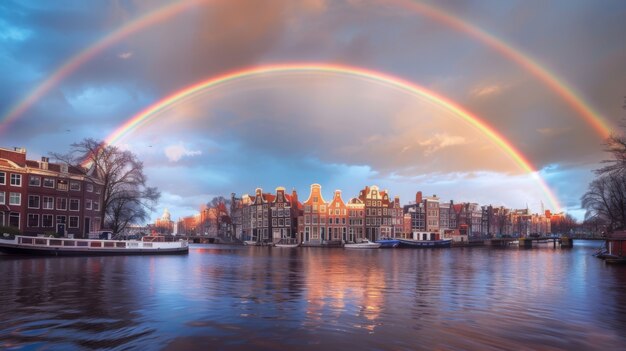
(38, 196)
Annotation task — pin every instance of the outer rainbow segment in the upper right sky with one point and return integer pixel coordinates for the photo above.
(558, 85)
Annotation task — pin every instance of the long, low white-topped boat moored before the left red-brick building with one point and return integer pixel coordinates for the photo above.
(149, 245)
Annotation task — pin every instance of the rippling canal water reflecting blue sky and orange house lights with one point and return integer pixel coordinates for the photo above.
(261, 298)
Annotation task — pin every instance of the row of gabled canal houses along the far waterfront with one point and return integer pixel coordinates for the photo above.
(373, 214)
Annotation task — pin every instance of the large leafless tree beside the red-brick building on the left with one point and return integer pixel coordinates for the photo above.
(126, 198)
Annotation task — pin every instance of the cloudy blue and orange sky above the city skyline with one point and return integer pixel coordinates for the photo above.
(75, 69)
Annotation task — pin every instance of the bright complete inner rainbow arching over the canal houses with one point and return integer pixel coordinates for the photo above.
(152, 111)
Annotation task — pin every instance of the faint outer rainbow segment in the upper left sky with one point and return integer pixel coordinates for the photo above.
(151, 18)
